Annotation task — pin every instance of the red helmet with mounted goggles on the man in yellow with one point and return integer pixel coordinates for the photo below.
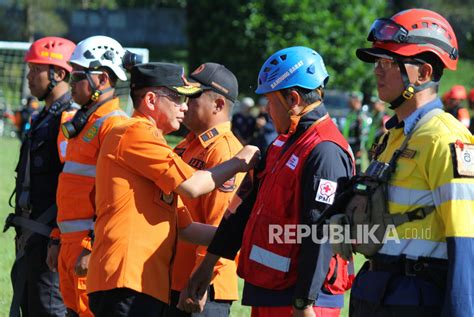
(412, 32)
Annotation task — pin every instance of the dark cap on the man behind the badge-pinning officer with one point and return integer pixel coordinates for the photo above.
(218, 78)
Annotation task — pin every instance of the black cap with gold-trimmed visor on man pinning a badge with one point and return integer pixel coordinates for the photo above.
(166, 75)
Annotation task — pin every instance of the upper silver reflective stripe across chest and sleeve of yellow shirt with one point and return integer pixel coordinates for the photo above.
(442, 194)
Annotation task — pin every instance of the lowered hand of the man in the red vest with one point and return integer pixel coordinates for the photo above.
(195, 293)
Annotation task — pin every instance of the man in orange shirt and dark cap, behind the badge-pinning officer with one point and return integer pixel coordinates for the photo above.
(209, 143)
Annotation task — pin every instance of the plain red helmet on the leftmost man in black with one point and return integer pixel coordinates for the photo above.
(51, 51)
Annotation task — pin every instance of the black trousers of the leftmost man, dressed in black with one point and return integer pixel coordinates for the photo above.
(40, 295)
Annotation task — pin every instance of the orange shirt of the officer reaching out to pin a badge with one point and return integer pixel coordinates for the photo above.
(137, 213)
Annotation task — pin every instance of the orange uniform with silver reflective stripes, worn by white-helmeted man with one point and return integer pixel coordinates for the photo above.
(75, 199)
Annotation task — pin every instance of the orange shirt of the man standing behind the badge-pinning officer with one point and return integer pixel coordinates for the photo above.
(205, 151)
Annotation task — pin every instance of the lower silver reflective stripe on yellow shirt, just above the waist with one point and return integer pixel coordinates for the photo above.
(414, 248)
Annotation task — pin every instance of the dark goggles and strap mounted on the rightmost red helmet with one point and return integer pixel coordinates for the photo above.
(387, 30)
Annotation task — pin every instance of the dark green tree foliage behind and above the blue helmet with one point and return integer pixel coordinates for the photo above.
(242, 33)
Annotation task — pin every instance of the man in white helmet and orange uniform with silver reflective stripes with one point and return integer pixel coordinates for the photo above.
(97, 65)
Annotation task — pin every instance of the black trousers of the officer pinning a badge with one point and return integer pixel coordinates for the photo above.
(122, 302)
